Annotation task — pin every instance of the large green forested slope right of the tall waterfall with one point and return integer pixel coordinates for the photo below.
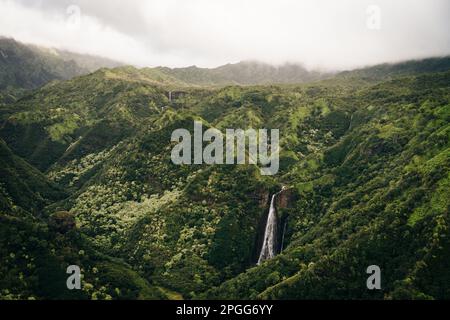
(377, 196)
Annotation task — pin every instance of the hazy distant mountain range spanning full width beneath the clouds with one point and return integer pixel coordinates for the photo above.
(25, 66)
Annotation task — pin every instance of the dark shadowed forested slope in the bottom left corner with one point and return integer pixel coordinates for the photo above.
(37, 248)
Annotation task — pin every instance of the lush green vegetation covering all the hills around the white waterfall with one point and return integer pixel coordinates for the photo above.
(86, 179)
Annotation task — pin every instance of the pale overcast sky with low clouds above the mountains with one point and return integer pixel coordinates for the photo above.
(329, 34)
